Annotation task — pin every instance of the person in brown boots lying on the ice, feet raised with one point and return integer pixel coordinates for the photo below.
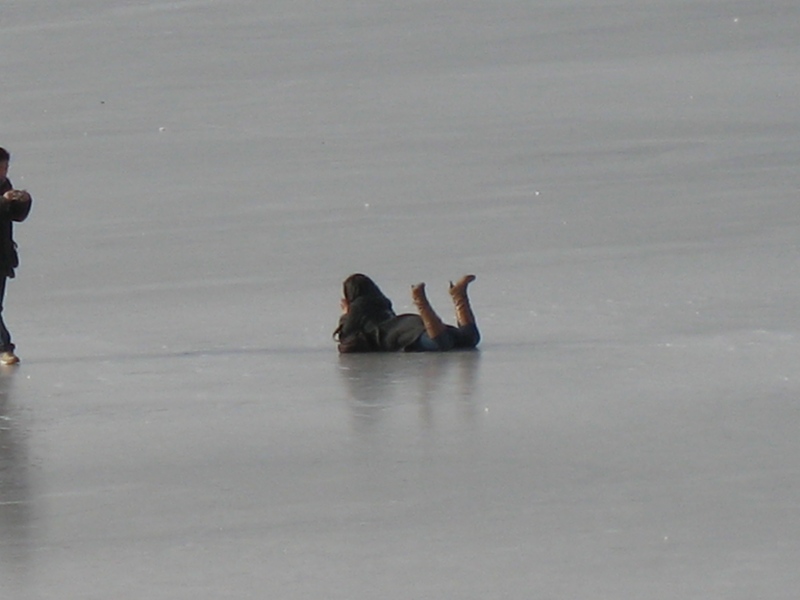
(368, 323)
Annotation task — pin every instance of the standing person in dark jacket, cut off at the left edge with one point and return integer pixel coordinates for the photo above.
(14, 206)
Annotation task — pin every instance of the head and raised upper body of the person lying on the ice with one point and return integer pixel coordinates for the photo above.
(367, 308)
